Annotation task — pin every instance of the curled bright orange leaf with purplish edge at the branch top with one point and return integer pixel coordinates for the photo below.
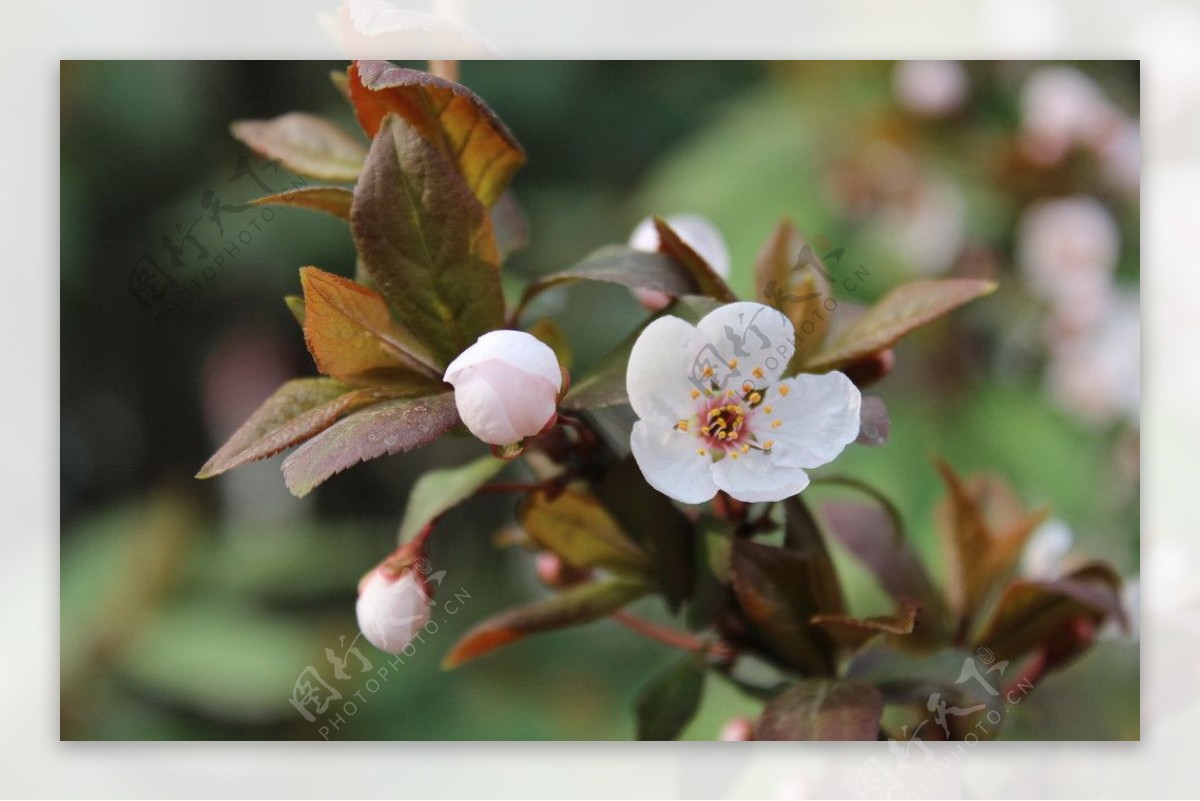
(451, 117)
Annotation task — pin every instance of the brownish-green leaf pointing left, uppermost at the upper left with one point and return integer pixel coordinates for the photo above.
(305, 144)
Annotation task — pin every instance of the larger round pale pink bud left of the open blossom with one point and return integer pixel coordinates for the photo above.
(506, 387)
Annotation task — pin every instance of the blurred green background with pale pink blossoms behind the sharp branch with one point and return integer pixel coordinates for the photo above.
(190, 610)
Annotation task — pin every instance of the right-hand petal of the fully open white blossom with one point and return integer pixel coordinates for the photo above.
(820, 417)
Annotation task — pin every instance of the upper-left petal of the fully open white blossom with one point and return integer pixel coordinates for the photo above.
(661, 366)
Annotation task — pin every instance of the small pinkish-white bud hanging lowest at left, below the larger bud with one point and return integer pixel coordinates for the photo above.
(392, 610)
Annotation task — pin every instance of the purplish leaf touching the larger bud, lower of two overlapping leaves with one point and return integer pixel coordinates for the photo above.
(389, 427)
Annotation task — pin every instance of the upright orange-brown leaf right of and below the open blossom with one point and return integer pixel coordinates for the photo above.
(983, 529)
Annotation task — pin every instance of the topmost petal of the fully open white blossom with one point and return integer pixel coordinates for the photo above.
(753, 335)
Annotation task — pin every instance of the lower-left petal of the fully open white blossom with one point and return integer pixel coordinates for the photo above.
(670, 462)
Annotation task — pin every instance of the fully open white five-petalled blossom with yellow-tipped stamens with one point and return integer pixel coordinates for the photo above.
(716, 414)
